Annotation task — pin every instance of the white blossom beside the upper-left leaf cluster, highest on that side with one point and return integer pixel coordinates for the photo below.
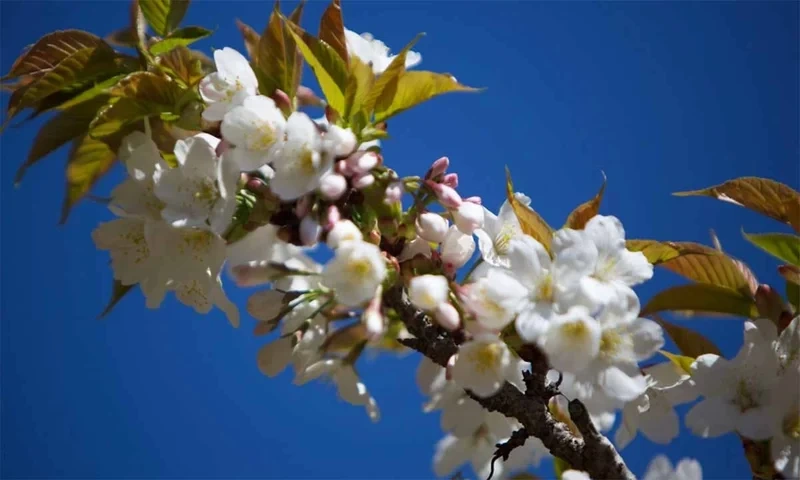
(233, 81)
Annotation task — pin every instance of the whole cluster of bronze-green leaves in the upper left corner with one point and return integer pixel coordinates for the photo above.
(99, 94)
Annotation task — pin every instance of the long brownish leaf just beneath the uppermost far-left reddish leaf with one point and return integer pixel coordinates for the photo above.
(81, 66)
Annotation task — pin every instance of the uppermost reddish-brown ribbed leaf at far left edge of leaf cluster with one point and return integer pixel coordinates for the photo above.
(50, 50)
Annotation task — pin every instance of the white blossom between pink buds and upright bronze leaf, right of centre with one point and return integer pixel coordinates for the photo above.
(494, 238)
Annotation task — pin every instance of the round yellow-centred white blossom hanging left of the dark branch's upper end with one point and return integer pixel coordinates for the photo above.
(355, 272)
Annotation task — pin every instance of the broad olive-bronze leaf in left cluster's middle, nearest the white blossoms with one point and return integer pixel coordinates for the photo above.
(139, 95)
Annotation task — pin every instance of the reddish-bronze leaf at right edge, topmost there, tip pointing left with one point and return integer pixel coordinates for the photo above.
(762, 195)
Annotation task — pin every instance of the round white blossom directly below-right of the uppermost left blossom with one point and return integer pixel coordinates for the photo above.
(255, 129)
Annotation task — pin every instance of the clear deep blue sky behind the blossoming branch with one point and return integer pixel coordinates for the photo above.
(660, 96)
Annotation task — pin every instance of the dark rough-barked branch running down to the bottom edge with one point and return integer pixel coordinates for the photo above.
(593, 453)
